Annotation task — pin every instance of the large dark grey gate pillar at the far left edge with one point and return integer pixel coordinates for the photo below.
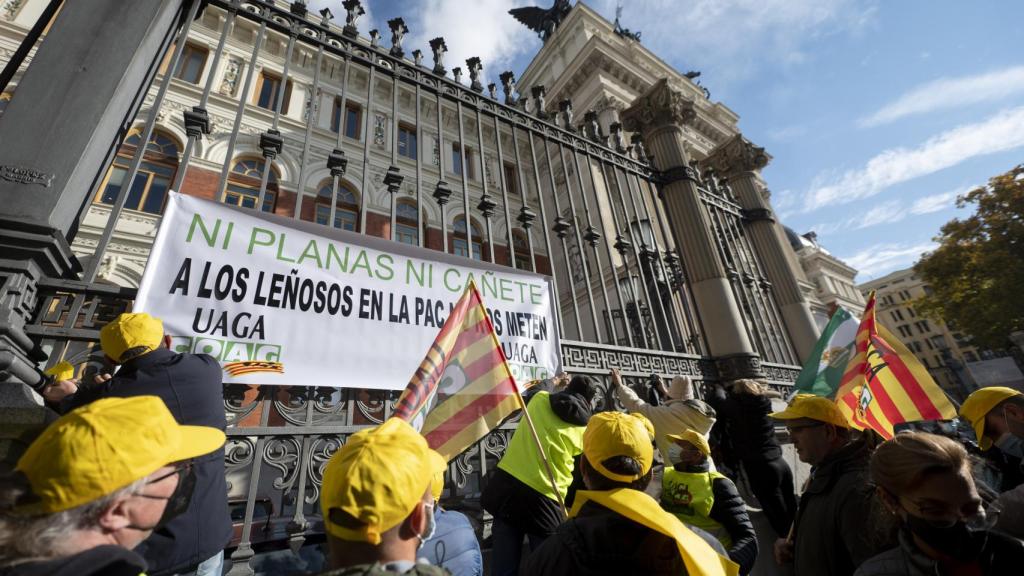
(79, 96)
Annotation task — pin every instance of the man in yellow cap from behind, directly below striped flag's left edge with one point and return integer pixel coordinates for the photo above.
(377, 502)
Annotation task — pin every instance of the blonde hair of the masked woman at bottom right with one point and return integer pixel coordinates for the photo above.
(902, 464)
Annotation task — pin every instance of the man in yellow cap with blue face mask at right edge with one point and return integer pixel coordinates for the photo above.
(997, 415)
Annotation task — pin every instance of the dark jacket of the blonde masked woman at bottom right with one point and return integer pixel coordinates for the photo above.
(998, 556)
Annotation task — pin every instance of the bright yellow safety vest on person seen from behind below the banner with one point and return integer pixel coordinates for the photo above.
(562, 442)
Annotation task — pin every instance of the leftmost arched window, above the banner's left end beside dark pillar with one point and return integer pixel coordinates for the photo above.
(156, 173)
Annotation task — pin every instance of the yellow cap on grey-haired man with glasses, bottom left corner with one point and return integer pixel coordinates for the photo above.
(105, 446)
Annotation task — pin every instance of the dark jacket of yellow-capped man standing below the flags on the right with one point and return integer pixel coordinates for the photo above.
(832, 525)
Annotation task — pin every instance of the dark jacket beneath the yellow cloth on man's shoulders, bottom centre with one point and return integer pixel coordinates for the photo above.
(600, 542)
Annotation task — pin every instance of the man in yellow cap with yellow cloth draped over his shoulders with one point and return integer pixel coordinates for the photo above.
(615, 527)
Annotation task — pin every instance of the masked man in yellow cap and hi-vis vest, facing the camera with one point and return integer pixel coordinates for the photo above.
(707, 500)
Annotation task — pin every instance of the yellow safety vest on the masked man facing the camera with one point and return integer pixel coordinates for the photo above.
(691, 497)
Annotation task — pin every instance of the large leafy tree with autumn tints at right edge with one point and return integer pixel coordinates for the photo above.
(977, 273)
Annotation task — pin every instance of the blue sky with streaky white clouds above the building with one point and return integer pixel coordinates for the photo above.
(877, 113)
